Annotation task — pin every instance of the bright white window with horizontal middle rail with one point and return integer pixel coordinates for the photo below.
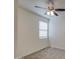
(43, 30)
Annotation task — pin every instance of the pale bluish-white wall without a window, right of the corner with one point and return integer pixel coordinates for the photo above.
(57, 32)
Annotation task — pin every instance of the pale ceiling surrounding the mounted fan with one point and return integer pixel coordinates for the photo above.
(29, 5)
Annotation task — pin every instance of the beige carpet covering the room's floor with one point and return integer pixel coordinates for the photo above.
(48, 53)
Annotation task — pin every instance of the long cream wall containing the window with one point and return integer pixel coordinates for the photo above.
(27, 33)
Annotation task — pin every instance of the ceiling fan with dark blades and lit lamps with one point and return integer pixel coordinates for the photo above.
(50, 10)
